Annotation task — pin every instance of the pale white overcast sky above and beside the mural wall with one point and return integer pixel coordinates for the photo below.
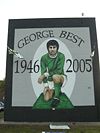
(23, 9)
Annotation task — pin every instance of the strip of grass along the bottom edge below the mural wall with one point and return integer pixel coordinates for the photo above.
(6, 128)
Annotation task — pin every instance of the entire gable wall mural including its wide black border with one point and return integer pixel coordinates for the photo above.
(52, 70)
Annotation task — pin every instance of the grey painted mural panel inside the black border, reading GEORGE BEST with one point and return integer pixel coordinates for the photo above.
(62, 64)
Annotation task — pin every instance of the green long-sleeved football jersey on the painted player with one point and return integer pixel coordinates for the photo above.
(52, 65)
